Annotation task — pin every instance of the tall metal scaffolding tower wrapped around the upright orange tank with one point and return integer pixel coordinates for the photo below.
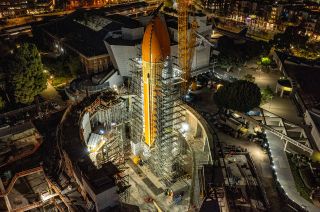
(164, 156)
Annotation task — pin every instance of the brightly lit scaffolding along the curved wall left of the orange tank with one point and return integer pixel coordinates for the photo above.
(110, 112)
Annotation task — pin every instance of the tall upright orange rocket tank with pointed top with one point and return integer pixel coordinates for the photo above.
(155, 50)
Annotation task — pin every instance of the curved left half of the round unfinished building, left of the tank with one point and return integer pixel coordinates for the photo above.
(93, 149)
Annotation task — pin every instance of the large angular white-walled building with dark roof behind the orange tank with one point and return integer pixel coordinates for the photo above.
(120, 38)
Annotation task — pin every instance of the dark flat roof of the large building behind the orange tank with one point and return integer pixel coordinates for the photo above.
(85, 30)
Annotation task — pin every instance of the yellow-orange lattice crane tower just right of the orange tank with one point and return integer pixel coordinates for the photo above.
(186, 41)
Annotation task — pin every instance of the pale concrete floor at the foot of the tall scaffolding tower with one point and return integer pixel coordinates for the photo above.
(149, 193)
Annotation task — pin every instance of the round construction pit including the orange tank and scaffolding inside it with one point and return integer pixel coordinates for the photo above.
(144, 148)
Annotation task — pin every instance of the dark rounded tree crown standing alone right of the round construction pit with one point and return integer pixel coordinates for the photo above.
(240, 95)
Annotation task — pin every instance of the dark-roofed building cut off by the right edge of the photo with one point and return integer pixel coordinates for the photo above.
(304, 79)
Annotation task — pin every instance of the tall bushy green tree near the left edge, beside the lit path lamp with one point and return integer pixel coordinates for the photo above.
(26, 74)
